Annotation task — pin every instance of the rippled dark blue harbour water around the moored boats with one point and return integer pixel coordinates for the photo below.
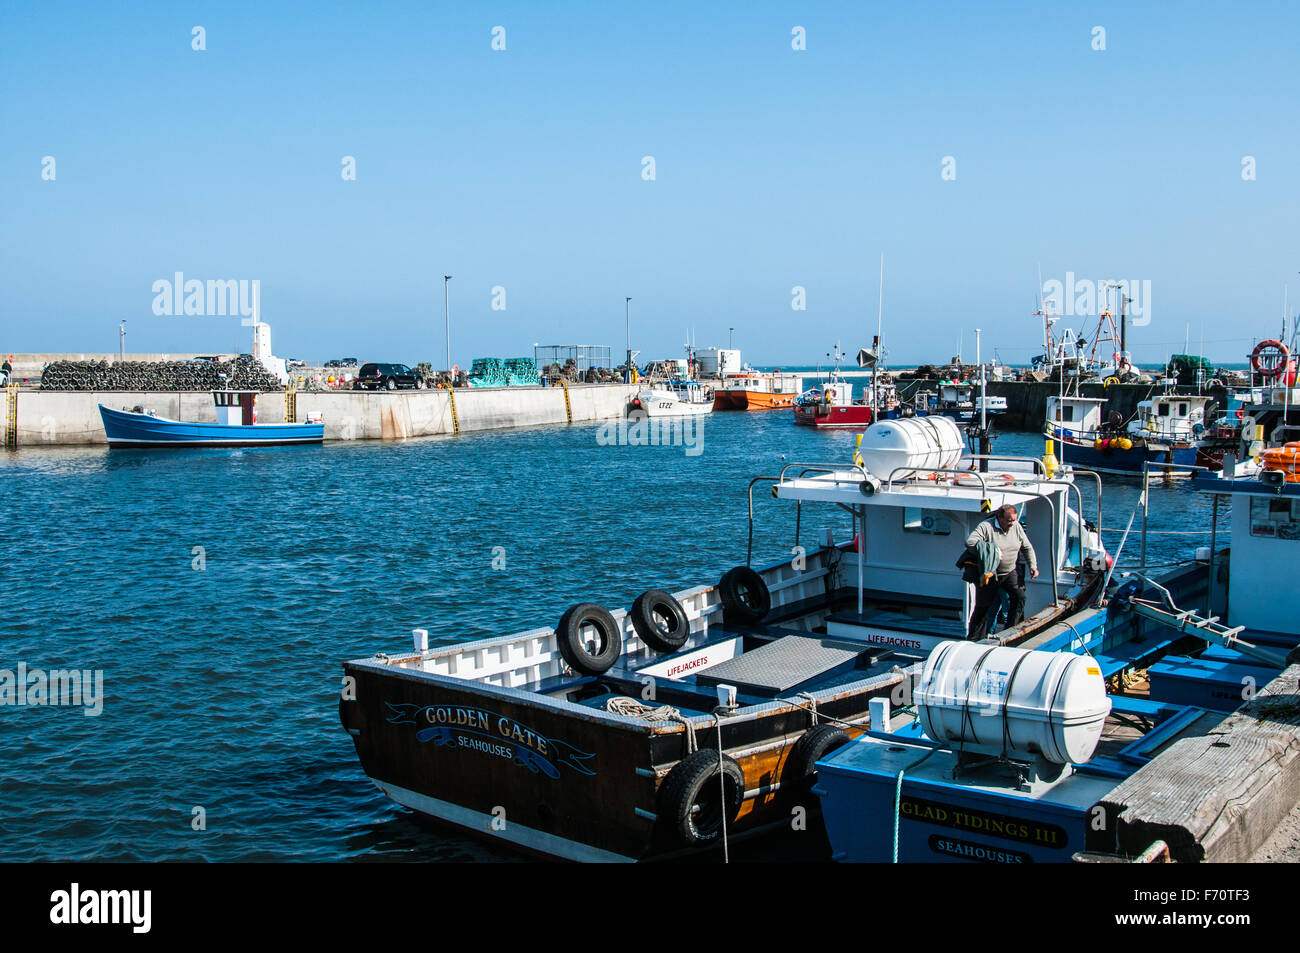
(220, 685)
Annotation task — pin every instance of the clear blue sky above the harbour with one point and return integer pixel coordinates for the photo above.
(523, 168)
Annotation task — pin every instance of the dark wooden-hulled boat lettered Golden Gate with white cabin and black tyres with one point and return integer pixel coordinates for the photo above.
(696, 717)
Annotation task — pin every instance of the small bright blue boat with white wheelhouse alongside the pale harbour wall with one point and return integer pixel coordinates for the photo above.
(236, 427)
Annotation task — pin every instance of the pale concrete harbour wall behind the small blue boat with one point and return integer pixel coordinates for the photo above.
(49, 418)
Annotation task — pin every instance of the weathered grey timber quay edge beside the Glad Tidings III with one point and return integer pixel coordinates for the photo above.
(1220, 796)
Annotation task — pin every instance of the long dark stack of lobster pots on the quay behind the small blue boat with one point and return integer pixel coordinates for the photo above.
(242, 374)
